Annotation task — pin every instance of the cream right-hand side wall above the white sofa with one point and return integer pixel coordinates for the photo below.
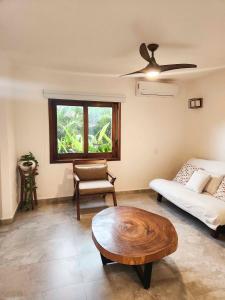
(205, 128)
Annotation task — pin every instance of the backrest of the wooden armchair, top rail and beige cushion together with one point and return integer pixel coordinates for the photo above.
(90, 170)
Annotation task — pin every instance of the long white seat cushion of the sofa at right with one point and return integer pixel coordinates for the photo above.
(205, 207)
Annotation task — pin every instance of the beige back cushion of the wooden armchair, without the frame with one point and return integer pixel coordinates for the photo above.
(91, 172)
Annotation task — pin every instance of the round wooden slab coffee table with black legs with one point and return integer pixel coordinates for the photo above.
(133, 236)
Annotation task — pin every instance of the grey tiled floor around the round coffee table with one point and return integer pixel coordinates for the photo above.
(47, 254)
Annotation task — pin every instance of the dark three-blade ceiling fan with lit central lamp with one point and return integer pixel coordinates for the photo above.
(153, 69)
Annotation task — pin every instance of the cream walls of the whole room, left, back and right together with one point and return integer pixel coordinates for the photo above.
(158, 134)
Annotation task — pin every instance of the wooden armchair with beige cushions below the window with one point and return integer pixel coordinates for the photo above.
(92, 178)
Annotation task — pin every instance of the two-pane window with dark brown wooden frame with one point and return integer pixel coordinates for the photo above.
(84, 129)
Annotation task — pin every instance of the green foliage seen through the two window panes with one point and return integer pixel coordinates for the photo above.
(70, 129)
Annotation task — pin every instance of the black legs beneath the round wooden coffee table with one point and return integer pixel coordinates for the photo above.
(144, 271)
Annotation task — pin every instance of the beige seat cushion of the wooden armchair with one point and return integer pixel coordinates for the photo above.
(95, 187)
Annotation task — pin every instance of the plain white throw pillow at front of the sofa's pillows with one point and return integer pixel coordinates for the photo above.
(198, 181)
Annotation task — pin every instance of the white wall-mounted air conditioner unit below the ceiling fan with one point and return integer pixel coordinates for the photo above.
(146, 88)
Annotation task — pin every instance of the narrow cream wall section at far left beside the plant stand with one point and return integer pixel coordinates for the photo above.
(8, 155)
